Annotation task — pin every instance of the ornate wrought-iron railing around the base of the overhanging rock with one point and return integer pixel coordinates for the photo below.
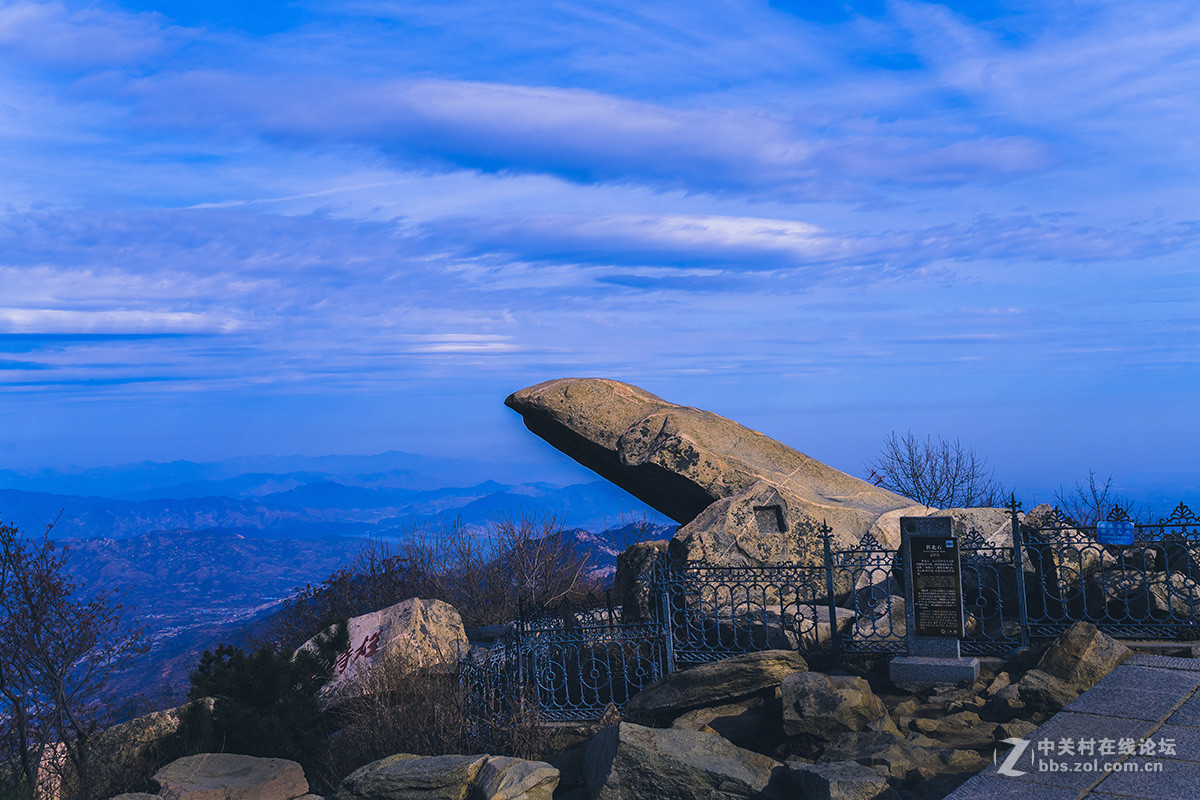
(1030, 584)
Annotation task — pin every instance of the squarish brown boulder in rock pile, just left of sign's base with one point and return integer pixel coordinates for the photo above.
(825, 707)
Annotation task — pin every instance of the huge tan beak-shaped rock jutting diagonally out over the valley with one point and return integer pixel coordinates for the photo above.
(742, 497)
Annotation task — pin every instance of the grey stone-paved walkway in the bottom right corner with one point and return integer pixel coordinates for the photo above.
(1142, 721)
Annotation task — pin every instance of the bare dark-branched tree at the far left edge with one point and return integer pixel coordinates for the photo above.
(56, 657)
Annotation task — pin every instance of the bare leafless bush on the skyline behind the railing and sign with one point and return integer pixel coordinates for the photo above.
(940, 474)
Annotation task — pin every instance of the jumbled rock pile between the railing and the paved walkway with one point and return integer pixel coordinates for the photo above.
(763, 725)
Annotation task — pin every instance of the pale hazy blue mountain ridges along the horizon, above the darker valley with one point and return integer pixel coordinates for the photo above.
(333, 496)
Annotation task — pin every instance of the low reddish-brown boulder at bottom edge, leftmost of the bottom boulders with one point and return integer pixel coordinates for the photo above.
(227, 777)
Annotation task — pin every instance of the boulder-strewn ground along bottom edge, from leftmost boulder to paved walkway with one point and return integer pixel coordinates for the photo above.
(761, 725)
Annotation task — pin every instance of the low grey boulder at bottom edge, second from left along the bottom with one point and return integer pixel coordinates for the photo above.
(413, 778)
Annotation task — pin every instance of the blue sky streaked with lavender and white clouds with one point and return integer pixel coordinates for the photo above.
(352, 227)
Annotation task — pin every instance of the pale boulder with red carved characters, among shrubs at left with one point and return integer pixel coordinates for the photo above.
(416, 633)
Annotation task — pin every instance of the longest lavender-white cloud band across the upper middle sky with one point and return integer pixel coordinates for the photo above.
(581, 135)
